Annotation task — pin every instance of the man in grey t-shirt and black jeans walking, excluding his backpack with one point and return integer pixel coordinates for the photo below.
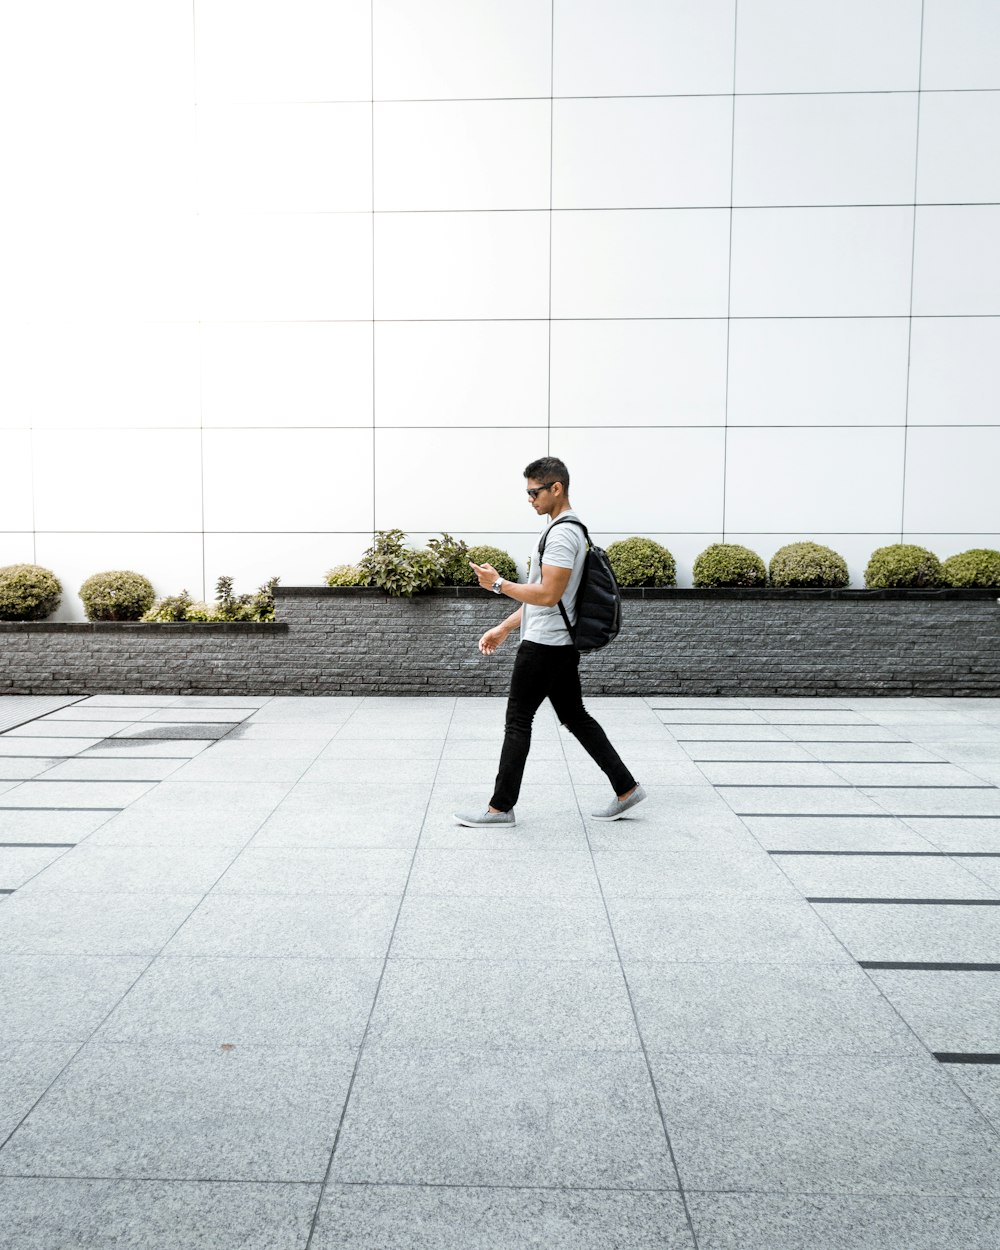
(547, 663)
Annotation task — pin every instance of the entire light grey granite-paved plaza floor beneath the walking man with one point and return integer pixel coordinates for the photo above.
(259, 991)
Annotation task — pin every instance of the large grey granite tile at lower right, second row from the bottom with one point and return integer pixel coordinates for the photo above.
(789, 1123)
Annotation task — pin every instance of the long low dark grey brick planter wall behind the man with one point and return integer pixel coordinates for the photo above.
(674, 642)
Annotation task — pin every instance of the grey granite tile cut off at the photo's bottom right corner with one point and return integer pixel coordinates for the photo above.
(854, 1222)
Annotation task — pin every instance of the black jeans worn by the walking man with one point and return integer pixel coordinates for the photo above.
(551, 673)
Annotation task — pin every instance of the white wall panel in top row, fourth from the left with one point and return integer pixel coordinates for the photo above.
(642, 48)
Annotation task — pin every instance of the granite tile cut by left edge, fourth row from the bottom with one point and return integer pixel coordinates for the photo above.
(56, 923)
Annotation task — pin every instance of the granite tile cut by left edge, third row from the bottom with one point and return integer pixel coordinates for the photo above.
(61, 998)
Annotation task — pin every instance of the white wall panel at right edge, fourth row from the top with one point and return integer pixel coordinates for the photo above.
(956, 372)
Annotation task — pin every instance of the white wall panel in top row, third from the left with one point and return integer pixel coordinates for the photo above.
(462, 49)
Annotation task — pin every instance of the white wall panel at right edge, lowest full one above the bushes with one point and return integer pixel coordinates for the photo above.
(952, 479)
